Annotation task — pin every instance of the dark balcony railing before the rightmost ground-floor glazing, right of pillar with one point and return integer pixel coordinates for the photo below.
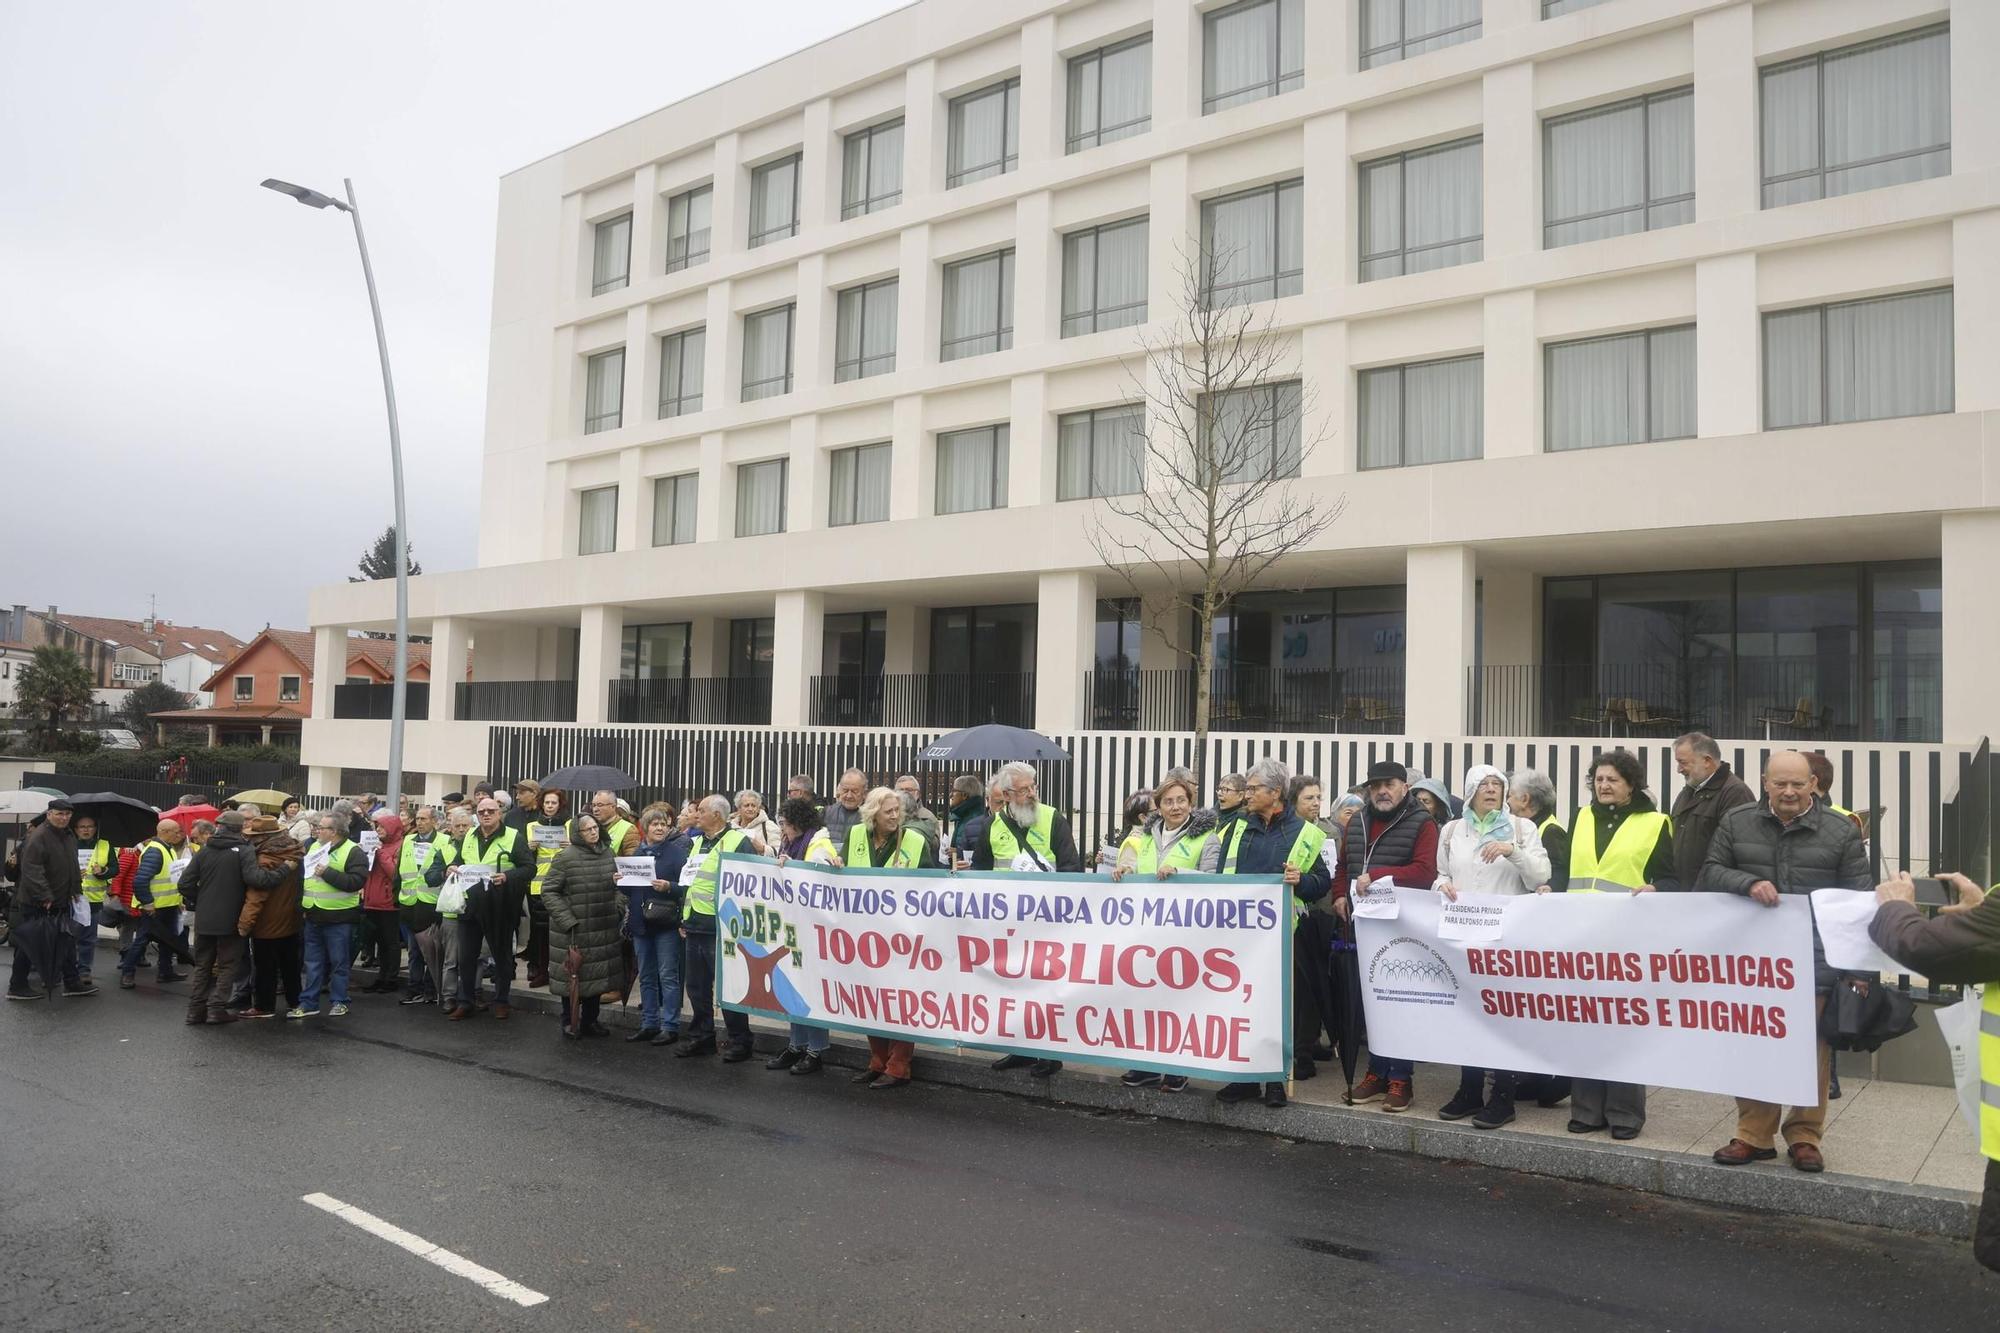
(1767, 698)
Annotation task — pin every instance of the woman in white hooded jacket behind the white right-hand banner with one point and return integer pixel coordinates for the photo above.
(1489, 850)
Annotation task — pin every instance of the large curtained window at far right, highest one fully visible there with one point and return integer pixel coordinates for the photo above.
(1859, 119)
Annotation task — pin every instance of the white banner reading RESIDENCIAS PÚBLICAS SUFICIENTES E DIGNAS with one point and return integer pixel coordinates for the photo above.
(1683, 990)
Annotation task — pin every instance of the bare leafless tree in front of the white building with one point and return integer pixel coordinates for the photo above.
(1219, 503)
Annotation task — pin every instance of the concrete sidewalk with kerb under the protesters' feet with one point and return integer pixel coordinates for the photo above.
(1897, 1154)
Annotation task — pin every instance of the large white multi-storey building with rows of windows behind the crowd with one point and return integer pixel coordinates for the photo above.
(1651, 347)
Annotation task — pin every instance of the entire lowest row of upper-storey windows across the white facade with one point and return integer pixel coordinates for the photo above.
(1823, 365)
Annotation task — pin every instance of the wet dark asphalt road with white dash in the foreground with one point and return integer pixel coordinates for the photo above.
(153, 1178)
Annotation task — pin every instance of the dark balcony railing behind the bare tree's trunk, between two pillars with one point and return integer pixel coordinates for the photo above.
(1357, 700)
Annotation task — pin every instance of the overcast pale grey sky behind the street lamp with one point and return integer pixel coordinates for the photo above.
(189, 389)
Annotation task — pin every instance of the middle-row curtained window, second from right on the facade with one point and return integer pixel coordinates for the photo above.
(1619, 169)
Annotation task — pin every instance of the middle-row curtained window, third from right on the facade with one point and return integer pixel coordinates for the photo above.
(1423, 211)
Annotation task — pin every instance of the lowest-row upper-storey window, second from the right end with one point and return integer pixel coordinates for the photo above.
(1627, 389)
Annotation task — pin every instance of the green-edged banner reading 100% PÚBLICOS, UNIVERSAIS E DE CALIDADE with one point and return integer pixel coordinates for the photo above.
(1191, 976)
